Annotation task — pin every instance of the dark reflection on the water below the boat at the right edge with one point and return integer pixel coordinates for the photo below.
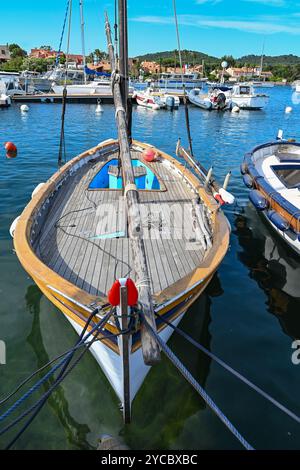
(273, 266)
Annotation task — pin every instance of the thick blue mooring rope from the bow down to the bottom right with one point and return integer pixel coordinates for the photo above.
(188, 376)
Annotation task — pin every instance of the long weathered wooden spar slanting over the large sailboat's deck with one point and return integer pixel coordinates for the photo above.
(150, 348)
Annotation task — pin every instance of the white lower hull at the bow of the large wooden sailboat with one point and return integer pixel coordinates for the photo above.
(112, 365)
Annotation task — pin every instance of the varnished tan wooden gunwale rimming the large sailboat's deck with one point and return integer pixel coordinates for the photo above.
(43, 275)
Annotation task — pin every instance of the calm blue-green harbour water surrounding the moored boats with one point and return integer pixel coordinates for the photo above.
(249, 316)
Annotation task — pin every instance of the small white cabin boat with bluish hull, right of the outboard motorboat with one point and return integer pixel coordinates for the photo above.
(244, 97)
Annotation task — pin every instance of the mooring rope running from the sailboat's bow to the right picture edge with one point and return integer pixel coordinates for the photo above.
(237, 374)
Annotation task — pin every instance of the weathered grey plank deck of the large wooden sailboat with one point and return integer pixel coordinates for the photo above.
(76, 241)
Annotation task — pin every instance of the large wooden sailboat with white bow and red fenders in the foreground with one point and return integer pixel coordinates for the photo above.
(128, 231)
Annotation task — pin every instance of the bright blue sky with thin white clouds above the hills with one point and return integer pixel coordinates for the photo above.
(216, 27)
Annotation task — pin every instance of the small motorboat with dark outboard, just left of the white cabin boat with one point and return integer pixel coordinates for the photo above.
(215, 99)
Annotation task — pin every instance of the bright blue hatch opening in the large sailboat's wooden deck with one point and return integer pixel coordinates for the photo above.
(110, 177)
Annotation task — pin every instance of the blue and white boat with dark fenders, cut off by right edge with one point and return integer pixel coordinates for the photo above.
(272, 171)
